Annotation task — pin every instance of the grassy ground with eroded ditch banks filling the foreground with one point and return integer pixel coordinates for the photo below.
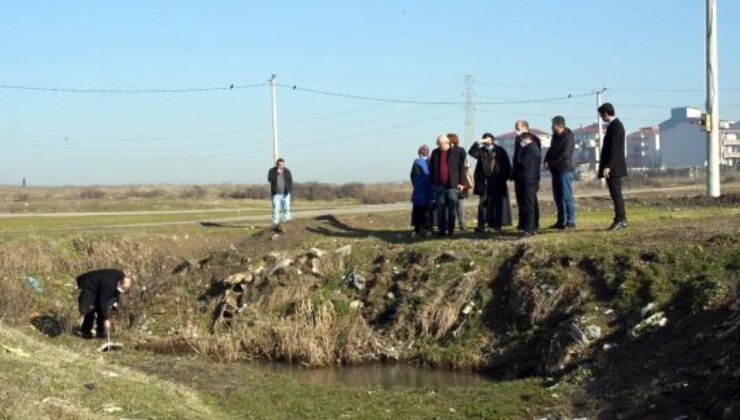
(680, 253)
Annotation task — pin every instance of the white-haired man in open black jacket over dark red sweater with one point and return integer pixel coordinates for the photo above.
(447, 166)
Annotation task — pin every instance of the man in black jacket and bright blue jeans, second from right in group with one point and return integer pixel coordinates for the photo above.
(559, 160)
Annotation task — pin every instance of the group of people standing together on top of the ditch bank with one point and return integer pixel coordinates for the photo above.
(440, 179)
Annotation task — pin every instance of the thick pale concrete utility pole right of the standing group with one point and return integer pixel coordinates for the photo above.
(712, 120)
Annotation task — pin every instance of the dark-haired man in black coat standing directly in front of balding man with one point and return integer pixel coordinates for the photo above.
(526, 174)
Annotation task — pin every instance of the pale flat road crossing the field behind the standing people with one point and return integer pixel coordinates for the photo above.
(300, 214)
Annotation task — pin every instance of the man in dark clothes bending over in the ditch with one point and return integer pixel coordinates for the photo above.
(99, 292)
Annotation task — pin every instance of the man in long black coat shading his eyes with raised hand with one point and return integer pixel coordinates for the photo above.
(492, 171)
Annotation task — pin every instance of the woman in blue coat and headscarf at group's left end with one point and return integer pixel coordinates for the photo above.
(422, 194)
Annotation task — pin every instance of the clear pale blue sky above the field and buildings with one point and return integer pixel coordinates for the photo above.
(648, 54)
